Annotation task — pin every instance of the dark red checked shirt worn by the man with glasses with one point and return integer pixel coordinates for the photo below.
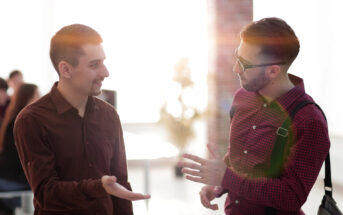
(252, 137)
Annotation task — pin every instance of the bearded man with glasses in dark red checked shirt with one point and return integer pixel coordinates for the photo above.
(267, 94)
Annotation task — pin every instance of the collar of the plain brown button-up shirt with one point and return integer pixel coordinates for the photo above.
(62, 105)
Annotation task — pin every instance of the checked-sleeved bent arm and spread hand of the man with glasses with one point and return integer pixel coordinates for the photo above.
(288, 192)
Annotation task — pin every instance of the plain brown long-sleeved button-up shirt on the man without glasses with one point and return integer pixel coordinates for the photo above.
(64, 156)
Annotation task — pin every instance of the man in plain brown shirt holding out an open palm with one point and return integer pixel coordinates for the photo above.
(70, 143)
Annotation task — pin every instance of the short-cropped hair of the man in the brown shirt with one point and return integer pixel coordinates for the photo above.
(66, 43)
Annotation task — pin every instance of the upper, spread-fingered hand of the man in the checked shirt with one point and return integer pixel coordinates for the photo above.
(204, 171)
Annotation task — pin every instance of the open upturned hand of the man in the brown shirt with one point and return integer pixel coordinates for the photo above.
(113, 188)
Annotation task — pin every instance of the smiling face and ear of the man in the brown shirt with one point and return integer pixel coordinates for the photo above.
(85, 79)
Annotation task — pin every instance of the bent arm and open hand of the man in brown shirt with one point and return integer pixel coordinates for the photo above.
(38, 163)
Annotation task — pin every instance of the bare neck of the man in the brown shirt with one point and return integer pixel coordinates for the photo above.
(76, 100)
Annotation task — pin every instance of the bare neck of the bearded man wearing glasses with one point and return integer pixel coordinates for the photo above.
(276, 88)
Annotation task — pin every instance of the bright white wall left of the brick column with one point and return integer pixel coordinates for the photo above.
(142, 40)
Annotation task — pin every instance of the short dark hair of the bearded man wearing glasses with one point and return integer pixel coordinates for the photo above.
(275, 37)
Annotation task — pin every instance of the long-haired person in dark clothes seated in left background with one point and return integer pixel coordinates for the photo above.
(12, 177)
